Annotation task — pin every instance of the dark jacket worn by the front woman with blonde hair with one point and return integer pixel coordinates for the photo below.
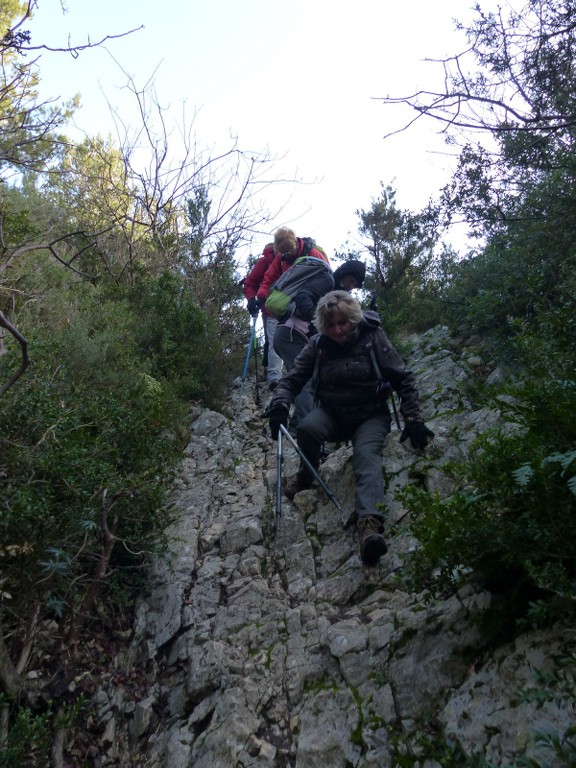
(346, 380)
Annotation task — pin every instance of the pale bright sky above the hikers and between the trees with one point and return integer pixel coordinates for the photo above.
(298, 79)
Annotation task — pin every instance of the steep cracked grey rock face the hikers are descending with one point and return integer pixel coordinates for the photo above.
(261, 647)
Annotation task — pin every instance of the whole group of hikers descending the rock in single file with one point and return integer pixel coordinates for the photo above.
(340, 369)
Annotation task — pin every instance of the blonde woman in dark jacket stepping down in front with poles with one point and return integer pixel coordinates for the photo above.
(354, 367)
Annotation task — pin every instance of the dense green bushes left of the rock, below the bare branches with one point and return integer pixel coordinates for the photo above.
(91, 434)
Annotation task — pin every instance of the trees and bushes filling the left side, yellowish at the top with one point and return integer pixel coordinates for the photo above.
(128, 305)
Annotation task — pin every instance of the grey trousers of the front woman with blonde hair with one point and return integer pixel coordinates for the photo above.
(367, 437)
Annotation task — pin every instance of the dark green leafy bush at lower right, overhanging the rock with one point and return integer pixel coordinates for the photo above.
(512, 521)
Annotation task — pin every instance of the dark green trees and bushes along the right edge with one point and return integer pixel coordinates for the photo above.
(512, 523)
